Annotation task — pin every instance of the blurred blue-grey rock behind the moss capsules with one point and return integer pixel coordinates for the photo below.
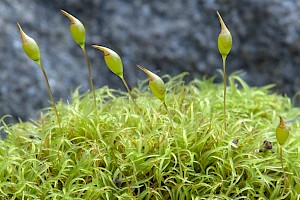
(168, 37)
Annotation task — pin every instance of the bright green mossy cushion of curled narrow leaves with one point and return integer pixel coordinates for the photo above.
(125, 152)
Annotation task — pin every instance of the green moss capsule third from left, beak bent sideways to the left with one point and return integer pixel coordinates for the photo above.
(112, 60)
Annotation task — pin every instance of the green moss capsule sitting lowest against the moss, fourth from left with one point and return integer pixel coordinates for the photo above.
(156, 84)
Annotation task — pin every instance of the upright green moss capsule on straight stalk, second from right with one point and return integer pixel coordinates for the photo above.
(224, 39)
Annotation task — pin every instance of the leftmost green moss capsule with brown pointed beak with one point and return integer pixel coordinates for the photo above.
(30, 47)
